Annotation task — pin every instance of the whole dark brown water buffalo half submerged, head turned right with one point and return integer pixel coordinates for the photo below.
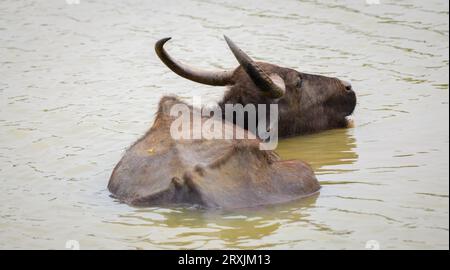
(231, 173)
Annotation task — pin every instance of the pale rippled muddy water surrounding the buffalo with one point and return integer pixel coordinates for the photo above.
(80, 82)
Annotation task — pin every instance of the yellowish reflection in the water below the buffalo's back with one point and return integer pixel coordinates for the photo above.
(240, 228)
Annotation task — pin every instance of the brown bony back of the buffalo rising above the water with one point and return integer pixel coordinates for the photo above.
(213, 173)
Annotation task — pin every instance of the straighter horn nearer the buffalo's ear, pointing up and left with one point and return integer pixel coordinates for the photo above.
(259, 77)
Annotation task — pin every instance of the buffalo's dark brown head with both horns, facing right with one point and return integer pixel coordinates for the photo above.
(307, 103)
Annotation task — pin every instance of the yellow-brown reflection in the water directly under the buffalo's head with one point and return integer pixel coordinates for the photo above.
(322, 151)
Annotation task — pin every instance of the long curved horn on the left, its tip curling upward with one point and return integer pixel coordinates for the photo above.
(215, 78)
